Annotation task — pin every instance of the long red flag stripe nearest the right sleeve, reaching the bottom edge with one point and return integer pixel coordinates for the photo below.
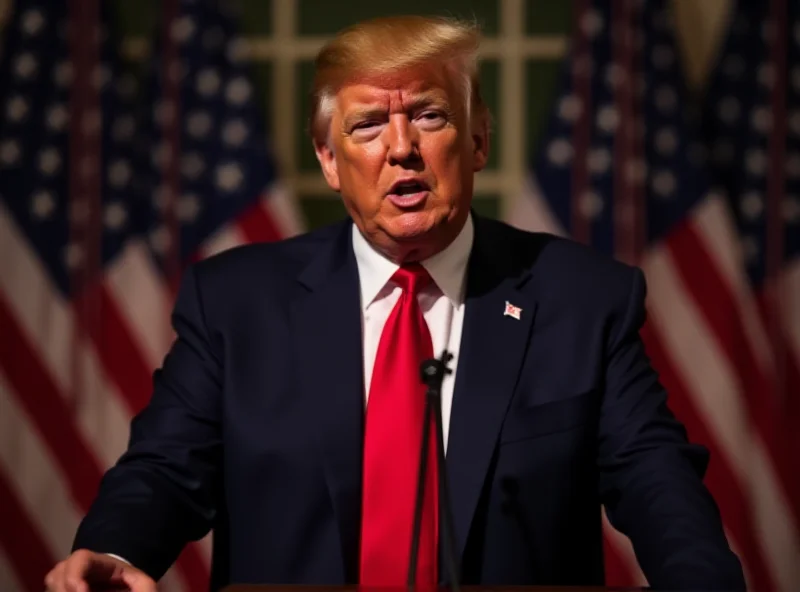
(733, 503)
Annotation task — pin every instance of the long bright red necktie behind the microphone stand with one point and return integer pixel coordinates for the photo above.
(392, 439)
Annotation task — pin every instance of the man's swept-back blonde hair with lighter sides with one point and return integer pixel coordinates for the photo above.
(387, 45)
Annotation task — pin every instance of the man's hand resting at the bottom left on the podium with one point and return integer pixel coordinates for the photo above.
(84, 571)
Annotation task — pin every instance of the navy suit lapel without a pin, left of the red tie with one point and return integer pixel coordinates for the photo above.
(327, 347)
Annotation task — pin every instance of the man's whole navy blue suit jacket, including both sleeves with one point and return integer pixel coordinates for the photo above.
(255, 425)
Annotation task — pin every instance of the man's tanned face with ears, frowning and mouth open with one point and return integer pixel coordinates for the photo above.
(403, 153)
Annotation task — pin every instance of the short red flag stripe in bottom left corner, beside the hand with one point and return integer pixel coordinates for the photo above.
(23, 545)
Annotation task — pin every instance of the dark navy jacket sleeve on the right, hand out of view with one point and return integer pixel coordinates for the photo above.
(651, 476)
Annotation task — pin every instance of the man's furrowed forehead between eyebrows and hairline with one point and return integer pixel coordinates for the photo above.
(433, 83)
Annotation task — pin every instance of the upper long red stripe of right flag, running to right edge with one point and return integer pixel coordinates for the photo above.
(710, 292)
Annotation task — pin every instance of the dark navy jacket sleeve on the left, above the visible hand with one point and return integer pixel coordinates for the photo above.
(162, 492)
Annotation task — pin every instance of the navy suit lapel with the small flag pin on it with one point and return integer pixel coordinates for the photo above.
(493, 347)
